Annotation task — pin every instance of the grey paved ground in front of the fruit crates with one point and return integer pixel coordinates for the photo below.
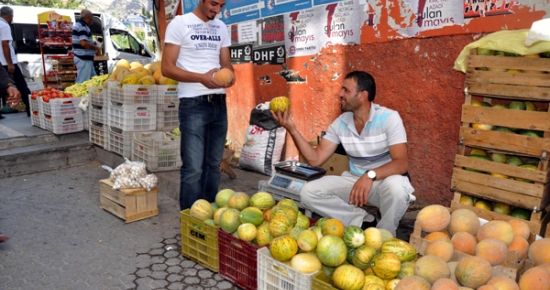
(61, 239)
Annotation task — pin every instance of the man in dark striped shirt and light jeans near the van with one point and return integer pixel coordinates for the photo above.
(84, 48)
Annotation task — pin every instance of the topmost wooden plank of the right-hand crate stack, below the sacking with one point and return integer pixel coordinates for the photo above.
(506, 62)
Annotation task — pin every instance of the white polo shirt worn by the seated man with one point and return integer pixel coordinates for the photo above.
(370, 148)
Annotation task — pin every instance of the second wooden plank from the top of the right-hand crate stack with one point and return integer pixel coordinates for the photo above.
(511, 77)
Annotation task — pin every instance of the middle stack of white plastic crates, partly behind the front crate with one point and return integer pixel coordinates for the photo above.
(130, 108)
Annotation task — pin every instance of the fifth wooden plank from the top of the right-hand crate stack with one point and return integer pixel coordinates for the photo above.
(505, 141)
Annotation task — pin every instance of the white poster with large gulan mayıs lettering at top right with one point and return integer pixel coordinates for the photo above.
(434, 14)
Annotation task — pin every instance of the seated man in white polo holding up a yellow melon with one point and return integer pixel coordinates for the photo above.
(376, 143)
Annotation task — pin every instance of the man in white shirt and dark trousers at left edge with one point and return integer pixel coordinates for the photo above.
(8, 57)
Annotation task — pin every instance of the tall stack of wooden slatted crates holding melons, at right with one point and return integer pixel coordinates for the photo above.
(505, 140)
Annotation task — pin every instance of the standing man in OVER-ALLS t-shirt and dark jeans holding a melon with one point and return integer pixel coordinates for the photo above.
(195, 47)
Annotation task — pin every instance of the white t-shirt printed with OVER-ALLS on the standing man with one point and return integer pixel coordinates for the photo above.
(200, 44)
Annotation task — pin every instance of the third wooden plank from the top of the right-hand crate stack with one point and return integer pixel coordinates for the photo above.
(510, 91)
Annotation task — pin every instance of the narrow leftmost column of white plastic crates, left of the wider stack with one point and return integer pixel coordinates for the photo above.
(98, 116)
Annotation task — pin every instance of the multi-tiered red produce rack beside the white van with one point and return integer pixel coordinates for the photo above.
(54, 35)
